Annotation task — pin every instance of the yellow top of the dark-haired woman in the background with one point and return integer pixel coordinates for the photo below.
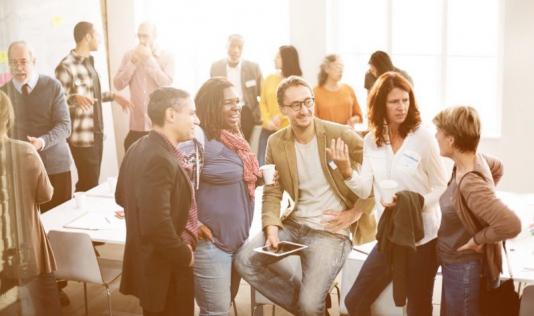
(268, 104)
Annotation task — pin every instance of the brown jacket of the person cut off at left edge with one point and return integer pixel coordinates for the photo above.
(27, 186)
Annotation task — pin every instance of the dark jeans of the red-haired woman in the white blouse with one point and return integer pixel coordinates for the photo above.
(375, 275)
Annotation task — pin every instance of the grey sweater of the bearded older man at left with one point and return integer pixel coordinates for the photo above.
(43, 113)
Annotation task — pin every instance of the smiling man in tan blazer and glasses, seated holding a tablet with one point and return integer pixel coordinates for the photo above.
(314, 160)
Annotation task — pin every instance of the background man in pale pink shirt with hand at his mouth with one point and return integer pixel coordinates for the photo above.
(143, 69)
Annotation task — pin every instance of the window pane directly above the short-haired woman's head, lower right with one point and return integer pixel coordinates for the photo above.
(472, 81)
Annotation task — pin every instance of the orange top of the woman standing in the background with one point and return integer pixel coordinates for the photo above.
(336, 106)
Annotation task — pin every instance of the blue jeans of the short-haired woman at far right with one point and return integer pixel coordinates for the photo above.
(460, 292)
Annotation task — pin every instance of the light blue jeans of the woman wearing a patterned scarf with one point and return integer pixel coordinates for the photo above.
(216, 282)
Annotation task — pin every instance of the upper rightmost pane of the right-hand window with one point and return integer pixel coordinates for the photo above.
(472, 27)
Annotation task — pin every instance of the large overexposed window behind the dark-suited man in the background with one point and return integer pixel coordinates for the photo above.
(197, 36)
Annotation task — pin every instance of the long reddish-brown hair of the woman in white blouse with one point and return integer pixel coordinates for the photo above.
(378, 111)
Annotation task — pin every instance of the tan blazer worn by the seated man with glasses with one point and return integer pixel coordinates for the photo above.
(281, 153)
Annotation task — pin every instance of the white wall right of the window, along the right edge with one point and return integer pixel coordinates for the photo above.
(515, 146)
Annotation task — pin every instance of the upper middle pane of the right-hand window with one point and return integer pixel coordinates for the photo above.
(416, 27)
